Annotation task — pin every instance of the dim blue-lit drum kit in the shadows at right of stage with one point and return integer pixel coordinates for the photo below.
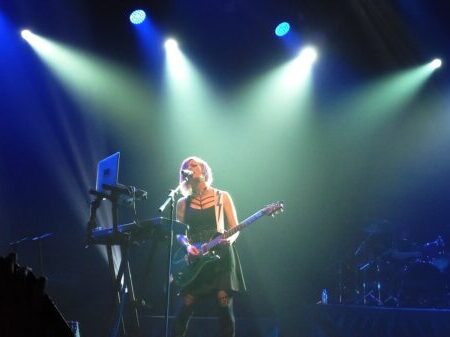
(387, 268)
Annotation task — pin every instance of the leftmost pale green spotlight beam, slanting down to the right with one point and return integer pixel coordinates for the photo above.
(98, 85)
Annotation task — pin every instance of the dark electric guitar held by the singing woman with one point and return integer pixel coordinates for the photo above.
(186, 268)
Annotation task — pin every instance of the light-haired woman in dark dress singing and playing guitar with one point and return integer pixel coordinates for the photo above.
(208, 211)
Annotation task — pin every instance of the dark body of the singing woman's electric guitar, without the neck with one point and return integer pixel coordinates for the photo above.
(185, 270)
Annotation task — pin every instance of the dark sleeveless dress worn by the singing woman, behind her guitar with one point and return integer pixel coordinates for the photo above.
(223, 274)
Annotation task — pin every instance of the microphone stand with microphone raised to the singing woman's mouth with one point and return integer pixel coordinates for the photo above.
(170, 199)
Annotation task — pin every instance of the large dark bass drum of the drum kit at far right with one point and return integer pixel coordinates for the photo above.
(423, 285)
